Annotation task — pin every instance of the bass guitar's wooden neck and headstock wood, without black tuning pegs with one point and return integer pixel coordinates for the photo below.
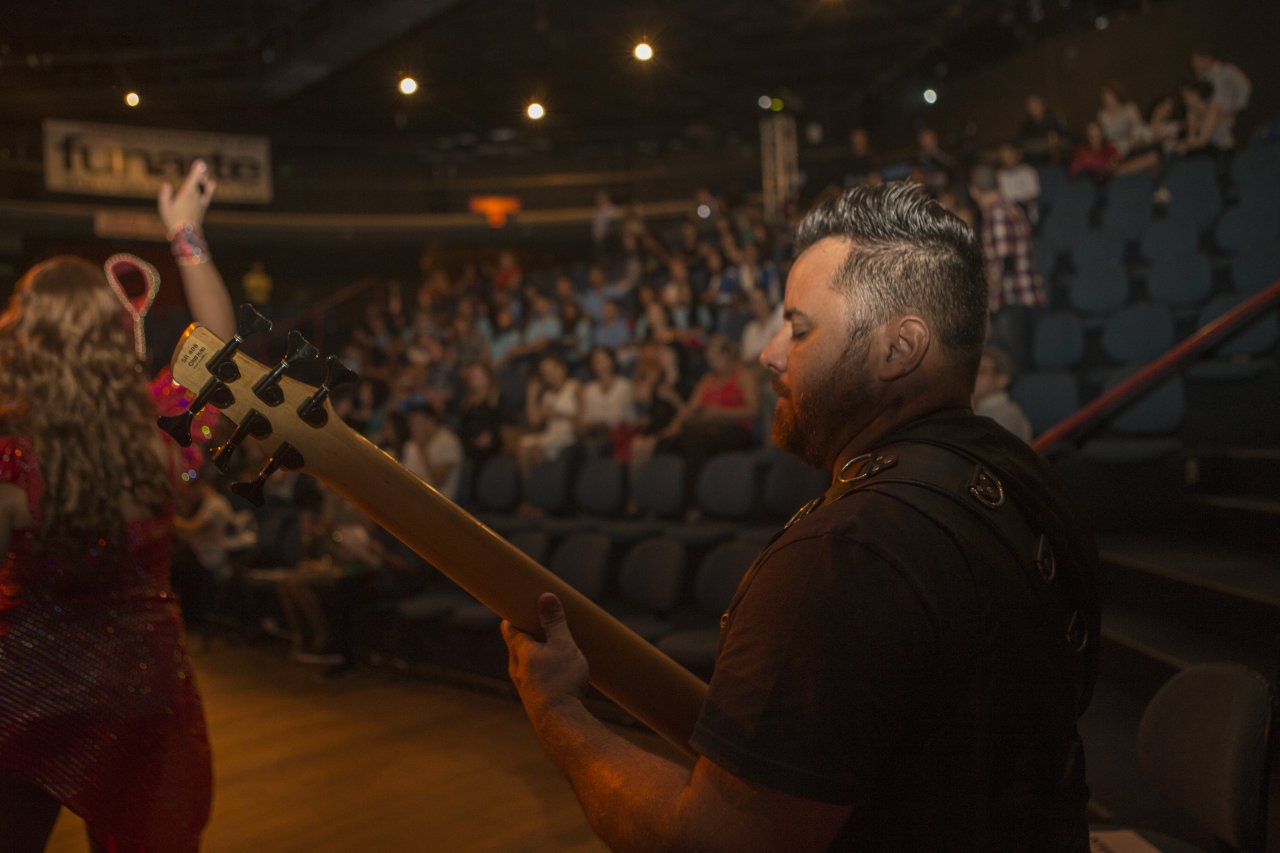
(624, 667)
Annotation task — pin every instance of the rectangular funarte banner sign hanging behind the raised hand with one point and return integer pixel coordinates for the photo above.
(134, 162)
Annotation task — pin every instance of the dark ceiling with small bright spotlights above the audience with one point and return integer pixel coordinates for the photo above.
(319, 70)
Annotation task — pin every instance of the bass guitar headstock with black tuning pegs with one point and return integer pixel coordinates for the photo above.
(292, 421)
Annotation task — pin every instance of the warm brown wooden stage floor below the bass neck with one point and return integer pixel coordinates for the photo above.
(372, 761)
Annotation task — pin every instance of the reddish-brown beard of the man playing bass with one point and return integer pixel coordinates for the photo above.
(816, 423)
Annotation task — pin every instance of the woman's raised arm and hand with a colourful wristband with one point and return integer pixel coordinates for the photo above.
(182, 212)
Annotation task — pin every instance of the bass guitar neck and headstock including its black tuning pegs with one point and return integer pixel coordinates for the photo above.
(299, 430)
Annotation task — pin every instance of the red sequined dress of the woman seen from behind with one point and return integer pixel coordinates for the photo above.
(98, 697)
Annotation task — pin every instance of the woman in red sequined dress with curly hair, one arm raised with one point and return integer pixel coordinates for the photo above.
(98, 704)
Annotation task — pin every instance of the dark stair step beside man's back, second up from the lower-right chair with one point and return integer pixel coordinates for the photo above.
(1241, 576)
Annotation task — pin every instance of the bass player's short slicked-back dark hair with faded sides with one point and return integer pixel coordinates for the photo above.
(909, 256)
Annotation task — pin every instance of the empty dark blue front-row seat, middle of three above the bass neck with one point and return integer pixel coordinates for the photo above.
(651, 585)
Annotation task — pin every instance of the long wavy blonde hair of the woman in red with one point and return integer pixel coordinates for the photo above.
(71, 382)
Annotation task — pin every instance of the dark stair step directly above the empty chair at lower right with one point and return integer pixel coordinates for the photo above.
(1171, 644)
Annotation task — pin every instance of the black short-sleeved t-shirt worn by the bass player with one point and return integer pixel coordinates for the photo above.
(867, 662)
